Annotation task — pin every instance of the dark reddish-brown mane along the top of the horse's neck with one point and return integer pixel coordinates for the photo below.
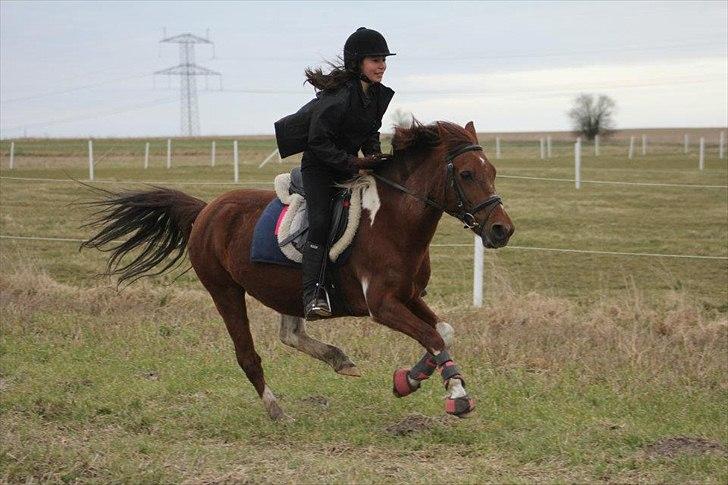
(420, 138)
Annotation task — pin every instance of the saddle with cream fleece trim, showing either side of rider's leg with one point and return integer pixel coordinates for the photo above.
(292, 225)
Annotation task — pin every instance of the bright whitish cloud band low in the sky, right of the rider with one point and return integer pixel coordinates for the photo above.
(675, 93)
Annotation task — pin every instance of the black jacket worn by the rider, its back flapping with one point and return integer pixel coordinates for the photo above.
(334, 126)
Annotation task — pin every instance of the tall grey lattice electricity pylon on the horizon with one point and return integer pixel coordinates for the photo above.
(187, 70)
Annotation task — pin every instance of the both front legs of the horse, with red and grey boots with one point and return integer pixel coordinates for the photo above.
(407, 318)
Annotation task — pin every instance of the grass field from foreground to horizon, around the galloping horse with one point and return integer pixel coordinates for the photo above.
(585, 367)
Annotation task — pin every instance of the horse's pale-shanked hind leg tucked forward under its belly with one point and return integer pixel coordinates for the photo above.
(293, 333)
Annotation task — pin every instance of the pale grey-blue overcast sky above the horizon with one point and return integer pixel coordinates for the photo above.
(72, 69)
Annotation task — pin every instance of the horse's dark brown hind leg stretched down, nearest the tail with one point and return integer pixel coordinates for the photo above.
(230, 302)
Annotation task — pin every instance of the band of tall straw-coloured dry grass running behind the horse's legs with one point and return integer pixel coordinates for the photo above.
(677, 339)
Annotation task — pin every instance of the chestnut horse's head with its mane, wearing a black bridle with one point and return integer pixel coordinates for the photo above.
(463, 182)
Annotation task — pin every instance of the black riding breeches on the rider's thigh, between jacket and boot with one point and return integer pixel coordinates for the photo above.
(318, 182)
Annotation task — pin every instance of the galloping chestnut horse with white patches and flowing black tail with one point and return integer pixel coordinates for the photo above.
(436, 169)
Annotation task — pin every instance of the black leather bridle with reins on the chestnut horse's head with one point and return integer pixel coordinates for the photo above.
(464, 211)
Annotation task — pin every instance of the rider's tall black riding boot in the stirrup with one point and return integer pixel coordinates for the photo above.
(315, 300)
